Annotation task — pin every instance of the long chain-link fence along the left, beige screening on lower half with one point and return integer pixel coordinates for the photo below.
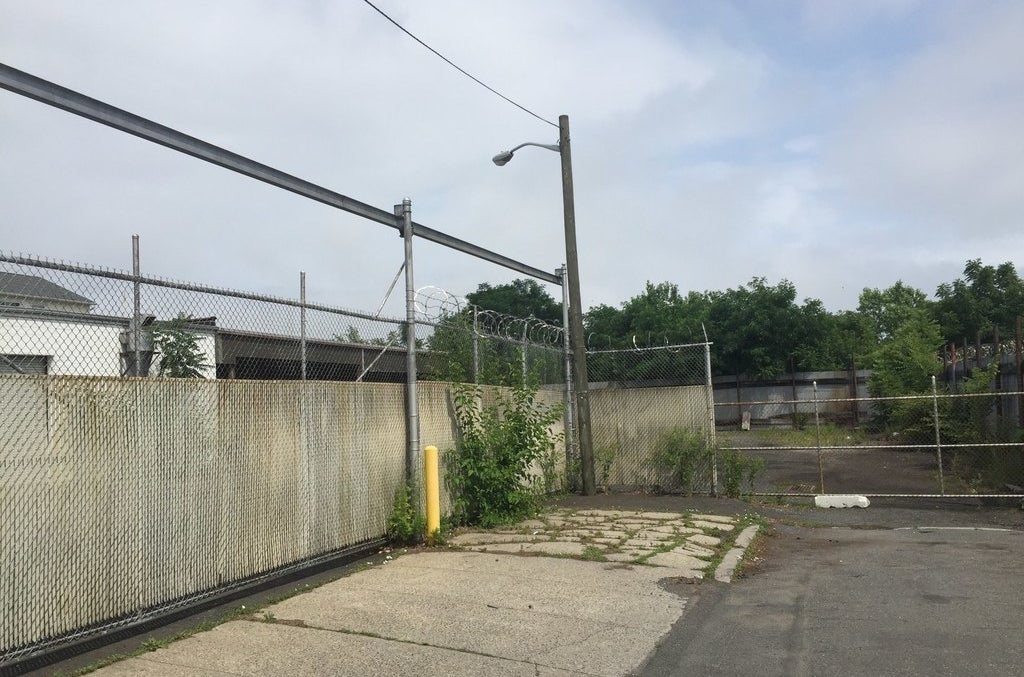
(163, 442)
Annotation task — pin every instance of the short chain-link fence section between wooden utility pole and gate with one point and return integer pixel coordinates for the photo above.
(653, 419)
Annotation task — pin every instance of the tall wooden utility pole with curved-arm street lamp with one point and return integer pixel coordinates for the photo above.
(576, 311)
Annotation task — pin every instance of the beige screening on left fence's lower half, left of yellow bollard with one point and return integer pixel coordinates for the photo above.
(123, 495)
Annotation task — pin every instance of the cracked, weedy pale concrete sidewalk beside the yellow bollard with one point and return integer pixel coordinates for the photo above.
(476, 612)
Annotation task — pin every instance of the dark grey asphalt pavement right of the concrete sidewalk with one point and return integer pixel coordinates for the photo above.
(856, 602)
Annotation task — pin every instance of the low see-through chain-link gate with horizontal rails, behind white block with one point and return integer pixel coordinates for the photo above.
(824, 434)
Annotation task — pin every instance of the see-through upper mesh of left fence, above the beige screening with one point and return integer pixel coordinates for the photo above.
(73, 320)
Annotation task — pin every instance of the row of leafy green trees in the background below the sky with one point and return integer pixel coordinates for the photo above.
(761, 330)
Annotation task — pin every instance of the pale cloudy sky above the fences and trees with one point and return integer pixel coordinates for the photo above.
(837, 144)
